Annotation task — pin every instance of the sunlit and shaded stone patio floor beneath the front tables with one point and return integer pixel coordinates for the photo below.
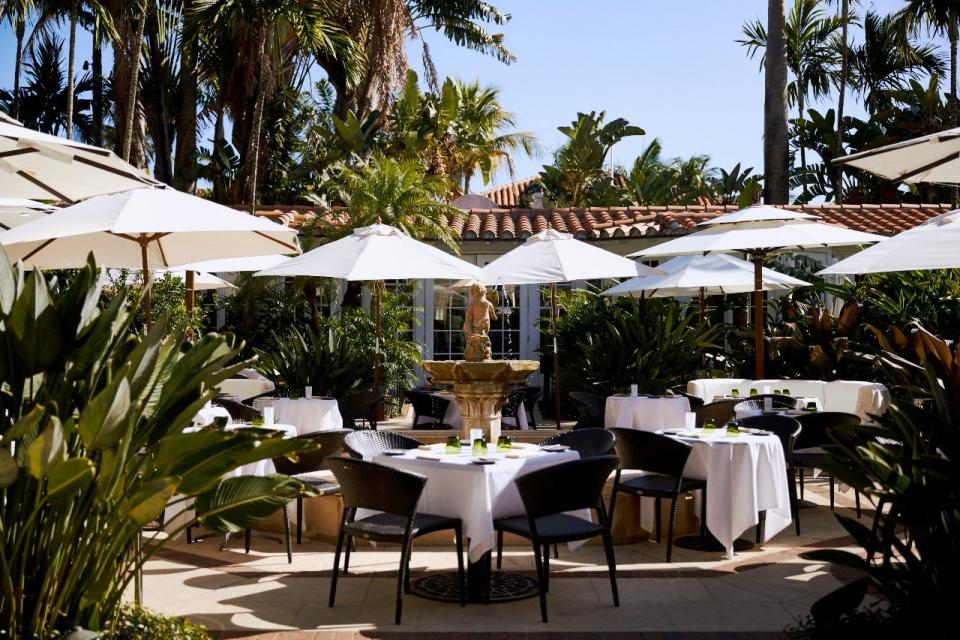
(756, 594)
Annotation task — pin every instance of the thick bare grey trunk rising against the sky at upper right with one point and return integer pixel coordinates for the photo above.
(775, 135)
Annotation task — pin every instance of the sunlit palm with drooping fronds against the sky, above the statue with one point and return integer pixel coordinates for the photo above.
(481, 142)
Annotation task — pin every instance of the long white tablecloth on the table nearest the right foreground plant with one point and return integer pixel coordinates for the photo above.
(745, 475)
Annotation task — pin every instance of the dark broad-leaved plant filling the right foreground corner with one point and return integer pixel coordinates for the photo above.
(908, 466)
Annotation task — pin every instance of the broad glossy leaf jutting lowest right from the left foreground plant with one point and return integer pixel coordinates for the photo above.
(238, 503)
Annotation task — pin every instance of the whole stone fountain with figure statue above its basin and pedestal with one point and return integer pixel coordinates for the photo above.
(480, 383)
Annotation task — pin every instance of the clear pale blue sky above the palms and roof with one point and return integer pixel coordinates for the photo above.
(673, 68)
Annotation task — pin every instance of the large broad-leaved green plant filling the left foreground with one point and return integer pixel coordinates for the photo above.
(92, 448)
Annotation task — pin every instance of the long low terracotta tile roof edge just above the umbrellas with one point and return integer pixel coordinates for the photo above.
(635, 222)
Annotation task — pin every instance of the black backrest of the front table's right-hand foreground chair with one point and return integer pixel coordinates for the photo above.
(568, 486)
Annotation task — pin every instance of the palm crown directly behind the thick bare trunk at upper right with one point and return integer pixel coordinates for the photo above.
(811, 54)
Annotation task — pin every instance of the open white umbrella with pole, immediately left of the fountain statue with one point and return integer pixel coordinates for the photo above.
(378, 252)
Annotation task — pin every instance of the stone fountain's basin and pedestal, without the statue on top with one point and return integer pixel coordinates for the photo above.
(480, 388)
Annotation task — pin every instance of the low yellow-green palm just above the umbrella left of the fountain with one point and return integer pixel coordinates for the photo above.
(396, 192)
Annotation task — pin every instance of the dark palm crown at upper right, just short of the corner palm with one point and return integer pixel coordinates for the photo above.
(887, 60)
